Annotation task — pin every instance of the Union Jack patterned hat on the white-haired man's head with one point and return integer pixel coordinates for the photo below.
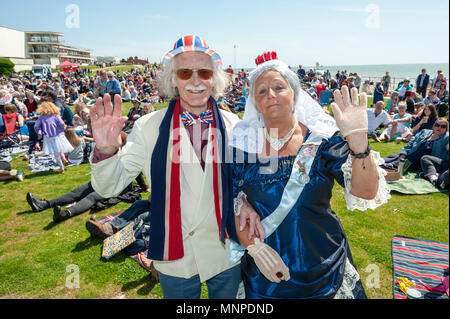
(190, 43)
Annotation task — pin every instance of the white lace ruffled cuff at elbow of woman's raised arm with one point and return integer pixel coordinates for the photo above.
(383, 194)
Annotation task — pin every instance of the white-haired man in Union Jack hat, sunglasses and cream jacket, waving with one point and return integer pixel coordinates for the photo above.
(182, 152)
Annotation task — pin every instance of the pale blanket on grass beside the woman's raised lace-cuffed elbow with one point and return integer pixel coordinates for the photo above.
(413, 184)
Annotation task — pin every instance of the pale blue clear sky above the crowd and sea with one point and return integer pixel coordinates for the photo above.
(302, 32)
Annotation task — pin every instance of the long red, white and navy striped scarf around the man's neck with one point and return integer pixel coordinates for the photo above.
(166, 236)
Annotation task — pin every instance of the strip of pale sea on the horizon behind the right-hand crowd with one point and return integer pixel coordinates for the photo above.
(374, 72)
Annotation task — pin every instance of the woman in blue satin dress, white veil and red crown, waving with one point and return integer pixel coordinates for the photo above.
(301, 251)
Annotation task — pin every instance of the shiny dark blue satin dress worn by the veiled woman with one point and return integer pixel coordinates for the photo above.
(310, 240)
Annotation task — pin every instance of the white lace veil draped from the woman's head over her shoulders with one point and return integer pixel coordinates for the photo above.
(248, 134)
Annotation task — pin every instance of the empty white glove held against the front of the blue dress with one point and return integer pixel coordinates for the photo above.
(268, 261)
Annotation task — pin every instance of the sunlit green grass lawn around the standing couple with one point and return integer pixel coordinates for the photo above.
(35, 252)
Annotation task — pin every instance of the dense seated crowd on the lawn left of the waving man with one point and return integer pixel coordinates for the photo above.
(26, 118)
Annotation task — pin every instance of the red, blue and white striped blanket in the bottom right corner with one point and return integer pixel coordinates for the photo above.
(423, 261)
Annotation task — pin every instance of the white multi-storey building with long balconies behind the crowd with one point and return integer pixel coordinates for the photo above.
(25, 48)
